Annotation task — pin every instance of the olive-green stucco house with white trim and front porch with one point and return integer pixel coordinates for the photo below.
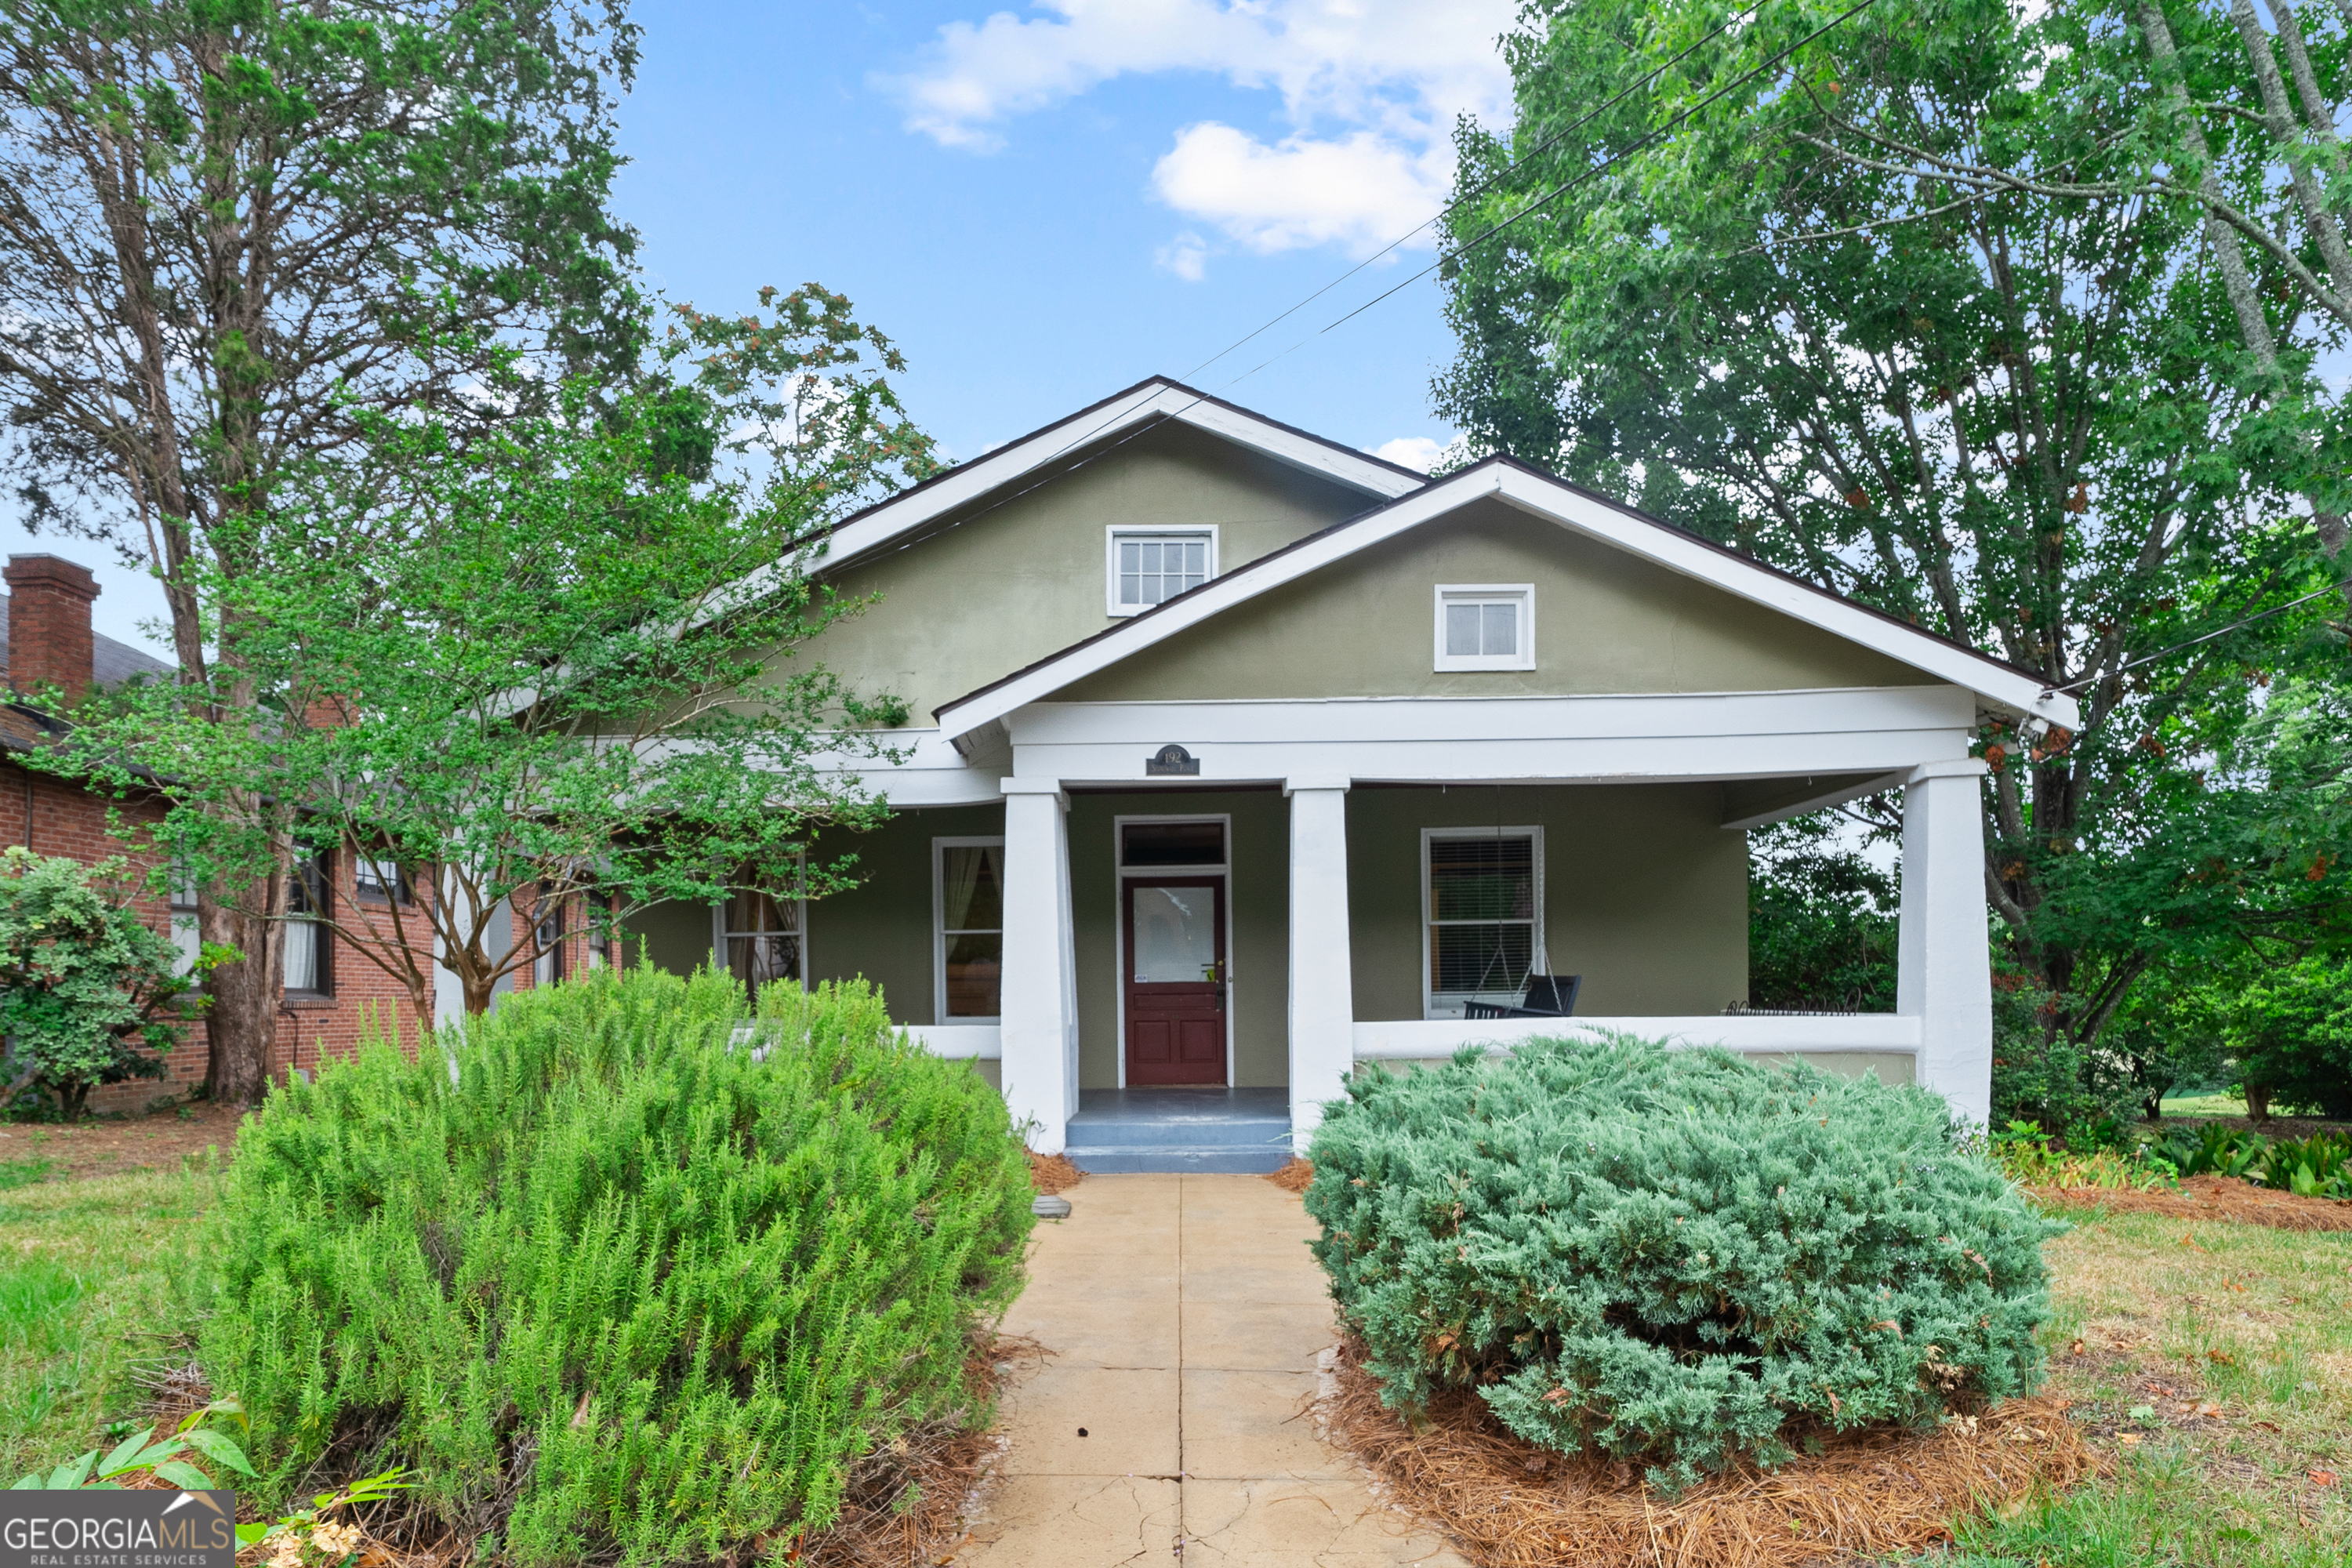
(1243, 758)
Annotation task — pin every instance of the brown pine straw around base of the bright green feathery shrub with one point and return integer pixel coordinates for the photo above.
(907, 1506)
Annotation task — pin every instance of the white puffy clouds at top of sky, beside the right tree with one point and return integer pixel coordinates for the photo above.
(1370, 91)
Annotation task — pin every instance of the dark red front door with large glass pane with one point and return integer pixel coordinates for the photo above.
(1175, 979)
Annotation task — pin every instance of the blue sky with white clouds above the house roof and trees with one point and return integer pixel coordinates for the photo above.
(1055, 201)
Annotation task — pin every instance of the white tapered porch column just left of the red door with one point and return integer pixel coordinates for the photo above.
(1041, 972)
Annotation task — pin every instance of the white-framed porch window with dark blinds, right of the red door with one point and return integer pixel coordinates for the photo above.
(1483, 911)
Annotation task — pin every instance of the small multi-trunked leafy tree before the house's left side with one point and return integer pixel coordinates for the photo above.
(566, 681)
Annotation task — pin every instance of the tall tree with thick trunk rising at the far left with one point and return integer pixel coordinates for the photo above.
(229, 229)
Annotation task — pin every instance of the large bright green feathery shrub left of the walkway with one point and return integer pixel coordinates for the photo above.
(603, 1282)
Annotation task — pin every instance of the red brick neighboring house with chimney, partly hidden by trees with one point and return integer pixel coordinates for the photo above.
(330, 984)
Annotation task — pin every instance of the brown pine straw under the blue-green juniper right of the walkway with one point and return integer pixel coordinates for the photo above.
(1516, 1506)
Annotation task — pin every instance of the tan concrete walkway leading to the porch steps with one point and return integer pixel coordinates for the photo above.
(1172, 1423)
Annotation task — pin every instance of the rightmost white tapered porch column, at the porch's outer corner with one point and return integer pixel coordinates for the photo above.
(1944, 967)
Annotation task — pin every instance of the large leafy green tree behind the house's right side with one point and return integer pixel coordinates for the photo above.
(2017, 420)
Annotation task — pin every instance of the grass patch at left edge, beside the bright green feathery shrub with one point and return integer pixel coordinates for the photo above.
(91, 1285)
